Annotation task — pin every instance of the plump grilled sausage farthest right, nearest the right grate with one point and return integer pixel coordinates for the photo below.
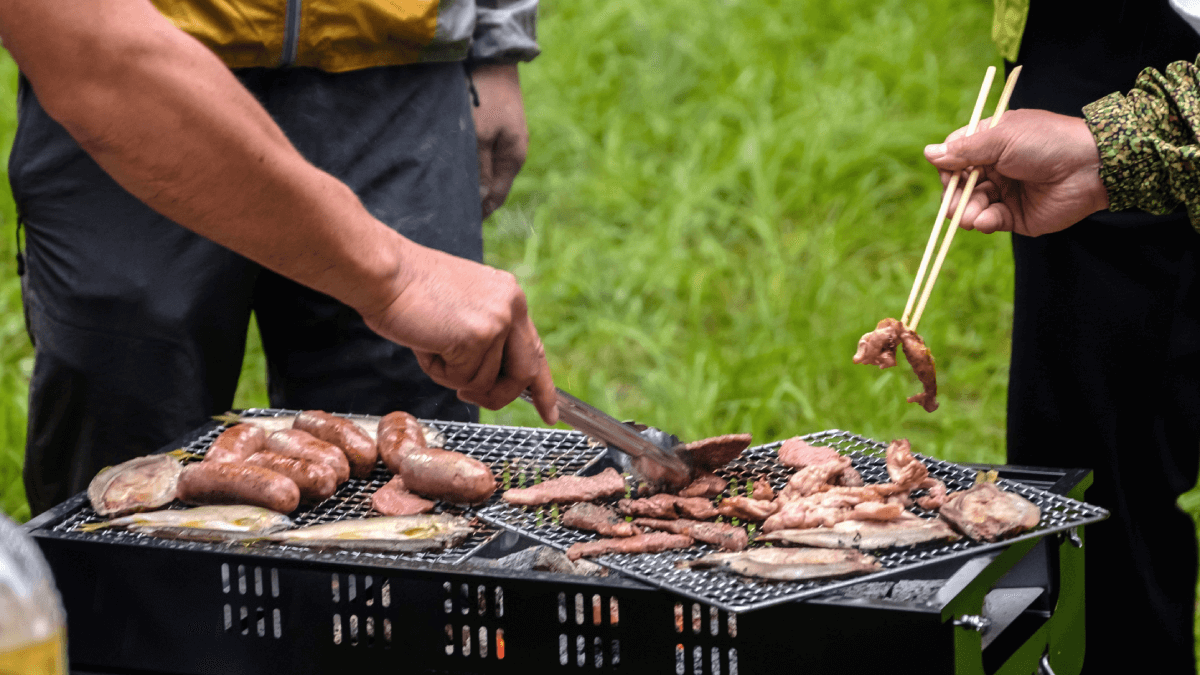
(448, 476)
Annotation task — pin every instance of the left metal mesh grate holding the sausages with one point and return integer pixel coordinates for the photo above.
(518, 453)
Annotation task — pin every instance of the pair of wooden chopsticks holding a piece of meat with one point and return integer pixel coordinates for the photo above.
(1001, 106)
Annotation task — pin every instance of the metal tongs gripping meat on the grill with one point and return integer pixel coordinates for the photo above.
(655, 464)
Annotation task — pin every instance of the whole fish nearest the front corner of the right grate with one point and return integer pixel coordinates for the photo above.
(789, 565)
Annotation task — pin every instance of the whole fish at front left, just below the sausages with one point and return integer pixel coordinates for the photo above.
(202, 524)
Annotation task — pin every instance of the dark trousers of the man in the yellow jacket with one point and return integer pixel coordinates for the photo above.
(140, 326)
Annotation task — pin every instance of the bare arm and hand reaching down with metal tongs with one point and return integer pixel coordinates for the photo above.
(170, 123)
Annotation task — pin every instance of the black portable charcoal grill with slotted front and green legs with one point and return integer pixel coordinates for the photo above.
(145, 606)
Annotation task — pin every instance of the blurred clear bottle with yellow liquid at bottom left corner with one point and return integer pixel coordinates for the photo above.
(33, 625)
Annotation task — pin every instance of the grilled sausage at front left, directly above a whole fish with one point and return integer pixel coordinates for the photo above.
(224, 483)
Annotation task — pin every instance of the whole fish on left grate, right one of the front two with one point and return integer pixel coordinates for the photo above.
(389, 534)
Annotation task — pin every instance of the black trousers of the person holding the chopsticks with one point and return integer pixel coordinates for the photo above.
(1106, 374)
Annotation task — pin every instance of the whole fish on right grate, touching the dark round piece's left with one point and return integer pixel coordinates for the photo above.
(907, 531)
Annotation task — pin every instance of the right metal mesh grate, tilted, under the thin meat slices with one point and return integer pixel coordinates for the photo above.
(737, 594)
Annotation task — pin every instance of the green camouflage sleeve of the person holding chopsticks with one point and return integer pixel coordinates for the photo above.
(1150, 156)
